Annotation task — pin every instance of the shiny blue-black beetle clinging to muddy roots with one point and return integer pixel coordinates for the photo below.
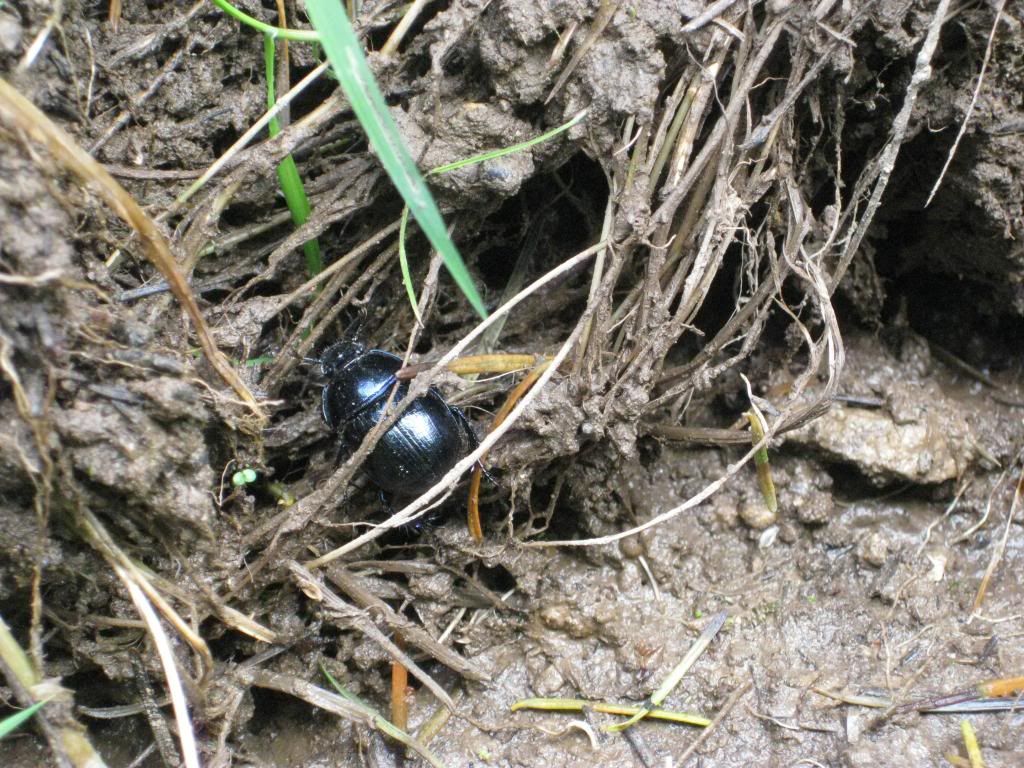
(421, 447)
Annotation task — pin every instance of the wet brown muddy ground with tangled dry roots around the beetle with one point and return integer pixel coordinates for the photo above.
(784, 240)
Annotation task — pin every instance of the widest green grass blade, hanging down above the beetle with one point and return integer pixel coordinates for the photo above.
(344, 51)
